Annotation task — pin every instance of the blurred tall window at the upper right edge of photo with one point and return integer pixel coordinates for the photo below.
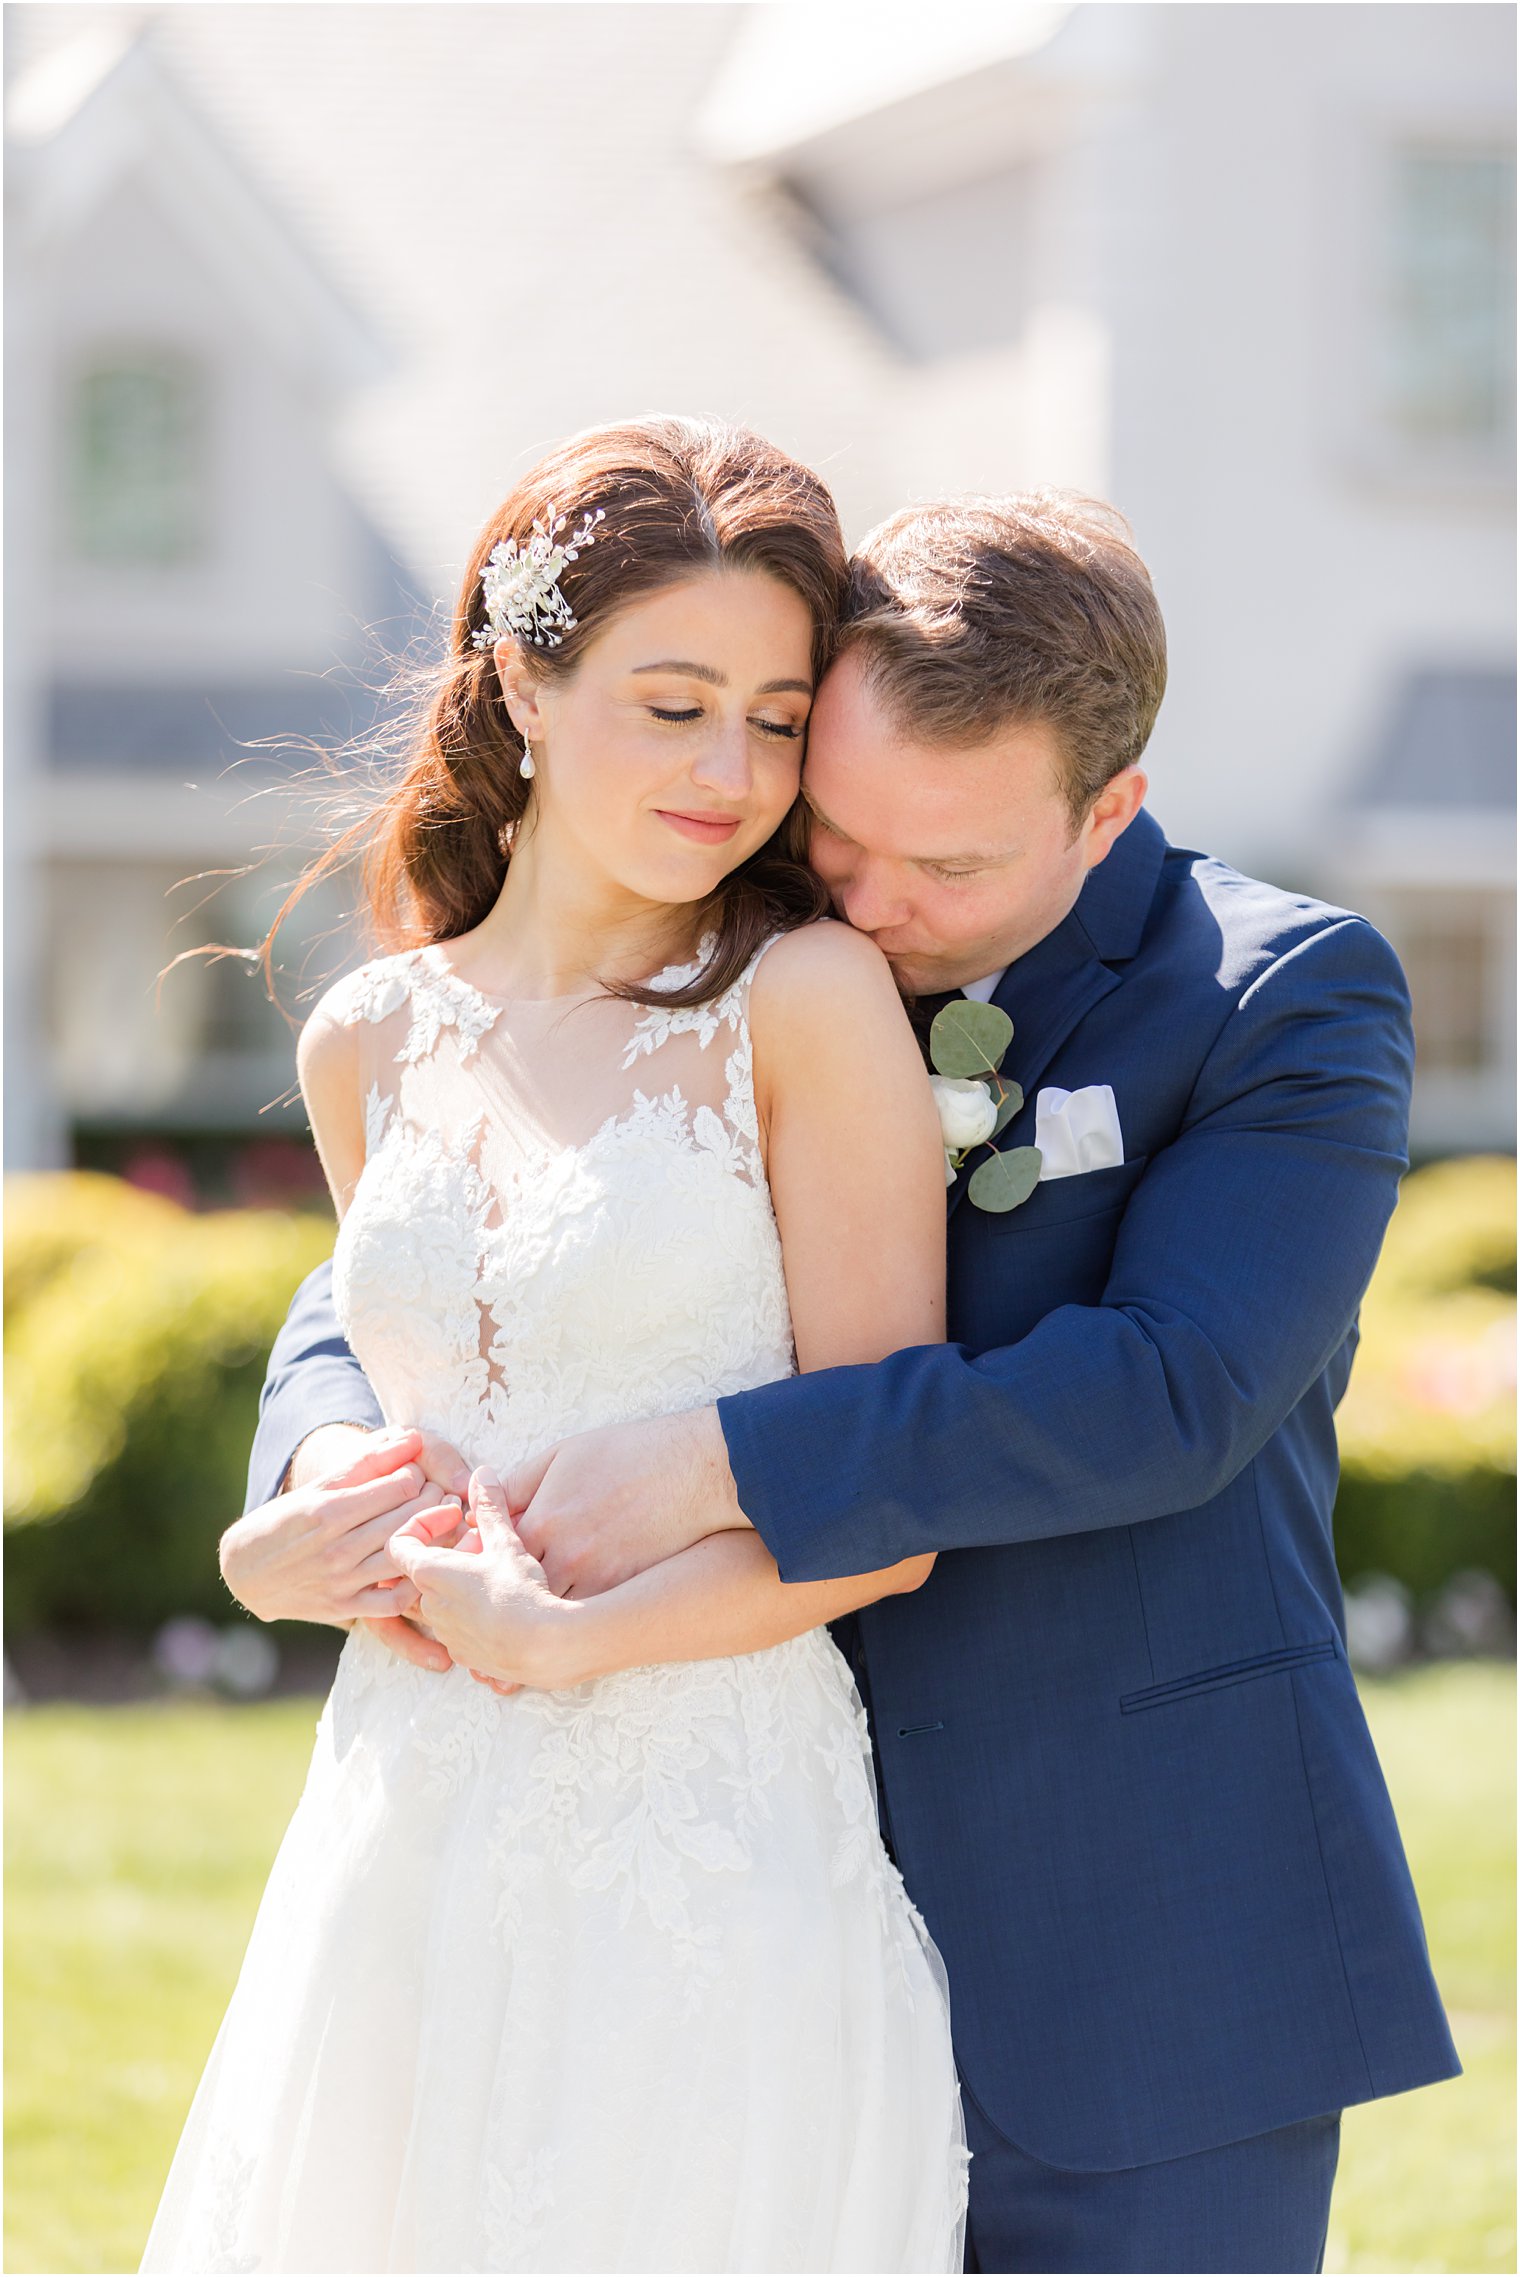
(1451, 302)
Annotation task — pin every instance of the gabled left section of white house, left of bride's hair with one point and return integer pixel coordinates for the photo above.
(185, 570)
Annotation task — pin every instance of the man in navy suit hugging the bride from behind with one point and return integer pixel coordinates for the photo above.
(1121, 1754)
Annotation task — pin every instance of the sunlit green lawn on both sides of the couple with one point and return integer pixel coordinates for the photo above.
(138, 1843)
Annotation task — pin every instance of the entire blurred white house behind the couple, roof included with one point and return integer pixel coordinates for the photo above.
(295, 293)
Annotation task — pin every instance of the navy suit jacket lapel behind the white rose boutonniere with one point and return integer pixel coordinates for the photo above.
(1055, 985)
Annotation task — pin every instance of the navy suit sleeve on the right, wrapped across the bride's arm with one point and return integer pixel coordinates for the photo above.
(1237, 1276)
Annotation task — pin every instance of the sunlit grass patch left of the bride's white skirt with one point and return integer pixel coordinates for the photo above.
(138, 1846)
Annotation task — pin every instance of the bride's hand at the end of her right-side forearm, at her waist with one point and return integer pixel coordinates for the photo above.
(488, 1602)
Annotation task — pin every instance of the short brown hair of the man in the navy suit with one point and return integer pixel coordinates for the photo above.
(980, 614)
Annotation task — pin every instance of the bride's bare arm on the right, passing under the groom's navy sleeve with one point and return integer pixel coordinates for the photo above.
(857, 1172)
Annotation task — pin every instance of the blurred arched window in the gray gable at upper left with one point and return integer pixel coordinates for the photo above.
(140, 459)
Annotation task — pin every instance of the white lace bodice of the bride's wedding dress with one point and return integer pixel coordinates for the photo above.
(511, 1292)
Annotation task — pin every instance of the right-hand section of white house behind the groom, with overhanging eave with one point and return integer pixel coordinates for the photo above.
(1246, 270)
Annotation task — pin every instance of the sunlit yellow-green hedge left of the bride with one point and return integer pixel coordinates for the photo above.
(135, 1349)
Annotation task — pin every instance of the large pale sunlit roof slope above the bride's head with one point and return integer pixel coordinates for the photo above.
(538, 243)
